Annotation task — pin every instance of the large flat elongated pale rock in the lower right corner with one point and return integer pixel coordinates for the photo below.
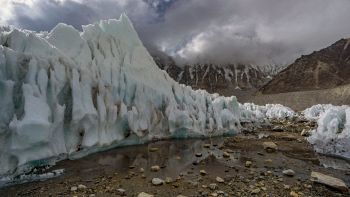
(329, 181)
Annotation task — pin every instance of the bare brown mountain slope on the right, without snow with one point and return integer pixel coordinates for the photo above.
(327, 68)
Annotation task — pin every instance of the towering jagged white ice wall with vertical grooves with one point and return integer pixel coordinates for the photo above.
(66, 93)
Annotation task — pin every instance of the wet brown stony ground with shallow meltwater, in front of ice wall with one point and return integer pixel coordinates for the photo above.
(243, 166)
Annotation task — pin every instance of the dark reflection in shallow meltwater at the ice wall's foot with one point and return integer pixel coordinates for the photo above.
(174, 156)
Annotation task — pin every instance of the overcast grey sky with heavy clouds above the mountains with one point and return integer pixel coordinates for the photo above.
(218, 31)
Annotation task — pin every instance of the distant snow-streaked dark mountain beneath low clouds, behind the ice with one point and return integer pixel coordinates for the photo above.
(230, 79)
